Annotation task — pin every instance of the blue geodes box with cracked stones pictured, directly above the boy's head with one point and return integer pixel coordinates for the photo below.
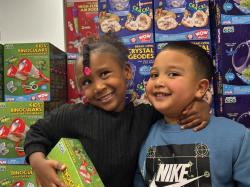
(181, 20)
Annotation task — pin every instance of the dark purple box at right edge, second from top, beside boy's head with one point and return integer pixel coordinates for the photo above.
(233, 59)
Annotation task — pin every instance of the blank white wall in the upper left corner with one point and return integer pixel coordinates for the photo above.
(23, 21)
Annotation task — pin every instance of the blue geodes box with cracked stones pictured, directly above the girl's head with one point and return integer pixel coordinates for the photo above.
(131, 20)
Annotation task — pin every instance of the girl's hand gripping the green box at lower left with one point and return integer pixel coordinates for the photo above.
(46, 171)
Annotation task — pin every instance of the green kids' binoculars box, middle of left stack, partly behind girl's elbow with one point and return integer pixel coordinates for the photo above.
(15, 120)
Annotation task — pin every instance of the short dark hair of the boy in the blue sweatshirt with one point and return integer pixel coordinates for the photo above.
(202, 61)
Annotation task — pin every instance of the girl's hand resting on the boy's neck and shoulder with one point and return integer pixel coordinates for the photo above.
(196, 115)
